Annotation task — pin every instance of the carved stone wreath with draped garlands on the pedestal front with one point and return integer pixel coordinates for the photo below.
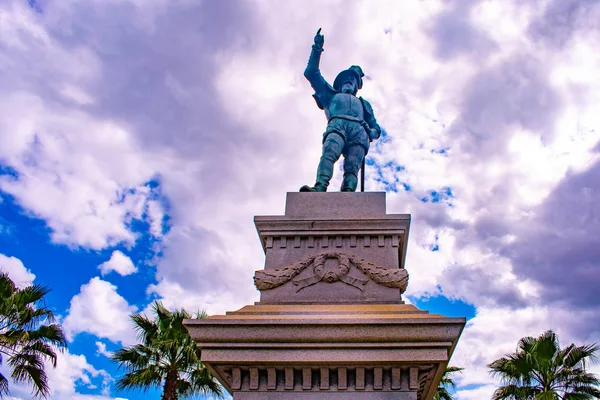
(389, 277)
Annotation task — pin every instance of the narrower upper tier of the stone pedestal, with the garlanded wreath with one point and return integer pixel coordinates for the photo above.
(352, 225)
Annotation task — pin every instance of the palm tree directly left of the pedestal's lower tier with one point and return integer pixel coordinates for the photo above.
(167, 357)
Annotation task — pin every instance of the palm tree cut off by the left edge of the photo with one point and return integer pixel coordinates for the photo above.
(28, 335)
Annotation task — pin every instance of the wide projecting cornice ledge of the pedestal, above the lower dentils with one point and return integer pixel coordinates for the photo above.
(269, 324)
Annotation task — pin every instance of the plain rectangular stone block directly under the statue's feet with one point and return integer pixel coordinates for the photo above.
(335, 205)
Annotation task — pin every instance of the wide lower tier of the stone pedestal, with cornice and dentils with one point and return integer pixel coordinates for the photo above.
(389, 349)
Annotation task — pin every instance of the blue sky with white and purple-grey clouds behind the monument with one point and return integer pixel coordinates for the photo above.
(139, 138)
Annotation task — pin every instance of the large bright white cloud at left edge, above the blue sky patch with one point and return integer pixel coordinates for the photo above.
(85, 196)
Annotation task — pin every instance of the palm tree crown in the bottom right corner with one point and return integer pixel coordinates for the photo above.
(541, 370)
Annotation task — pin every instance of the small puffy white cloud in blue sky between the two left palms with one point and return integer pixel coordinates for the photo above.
(98, 309)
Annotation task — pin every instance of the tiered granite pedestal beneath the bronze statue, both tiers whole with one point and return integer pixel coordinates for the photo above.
(331, 323)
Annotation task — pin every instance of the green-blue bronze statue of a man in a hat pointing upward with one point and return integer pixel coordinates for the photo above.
(351, 122)
